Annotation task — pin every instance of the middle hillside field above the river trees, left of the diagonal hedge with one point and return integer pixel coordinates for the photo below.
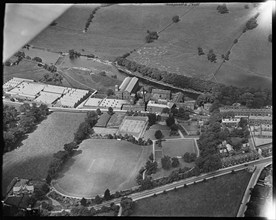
(203, 26)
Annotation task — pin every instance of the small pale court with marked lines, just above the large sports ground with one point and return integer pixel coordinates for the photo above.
(133, 125)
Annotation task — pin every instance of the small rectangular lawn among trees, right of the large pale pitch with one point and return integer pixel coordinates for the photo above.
(179, 147)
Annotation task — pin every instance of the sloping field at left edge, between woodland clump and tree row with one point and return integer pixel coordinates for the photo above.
(32, 159)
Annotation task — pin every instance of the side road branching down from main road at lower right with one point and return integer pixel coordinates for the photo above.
(251, 184)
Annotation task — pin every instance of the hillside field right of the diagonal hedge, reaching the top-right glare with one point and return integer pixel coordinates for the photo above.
(251, 59)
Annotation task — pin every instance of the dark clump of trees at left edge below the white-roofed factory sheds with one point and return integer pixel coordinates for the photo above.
(16, 124)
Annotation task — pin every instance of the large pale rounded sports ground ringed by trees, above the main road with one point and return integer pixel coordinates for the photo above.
(101, 164)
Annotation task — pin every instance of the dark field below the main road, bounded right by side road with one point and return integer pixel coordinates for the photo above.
(219, 197)
